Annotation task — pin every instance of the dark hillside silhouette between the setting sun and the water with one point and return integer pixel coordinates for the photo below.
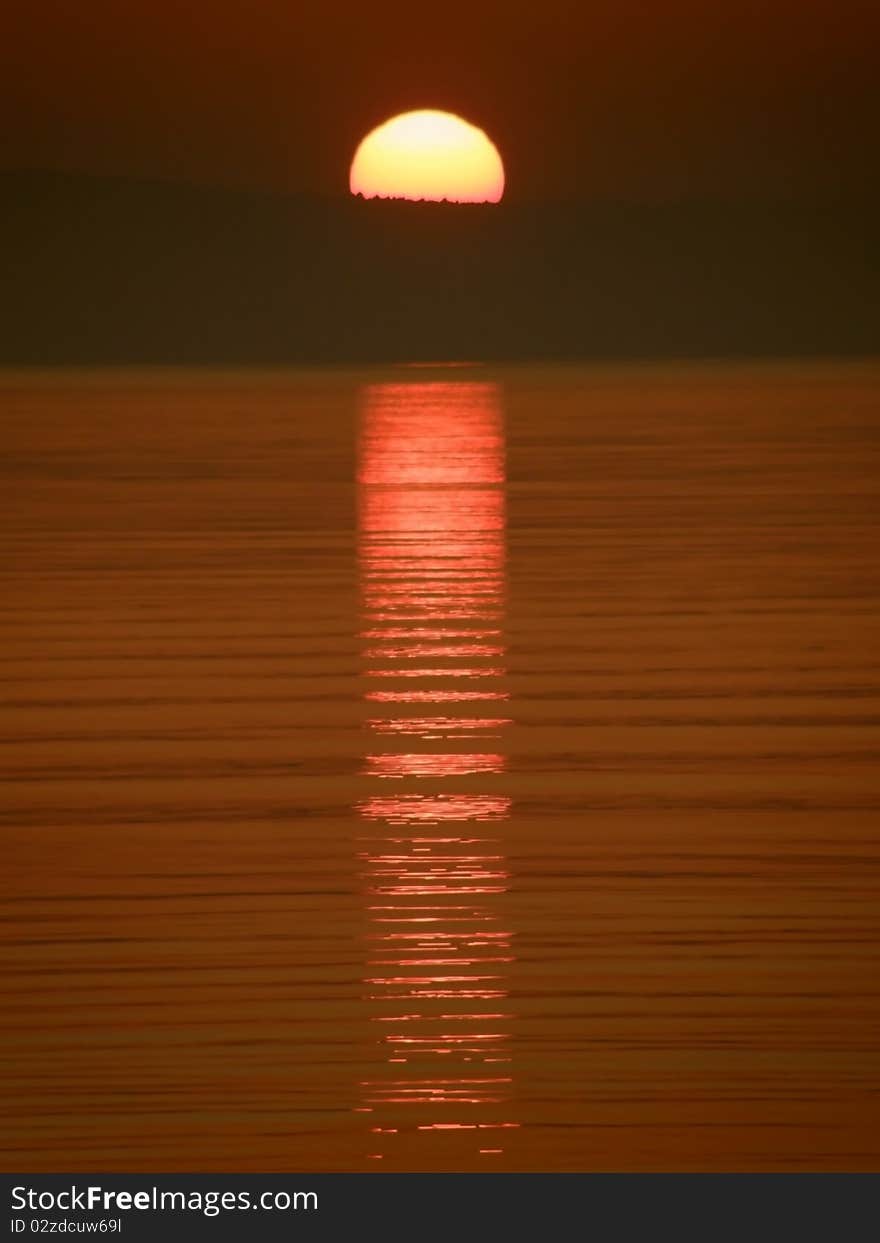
(105, 270)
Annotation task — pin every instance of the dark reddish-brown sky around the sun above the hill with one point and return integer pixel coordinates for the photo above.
(605, 99)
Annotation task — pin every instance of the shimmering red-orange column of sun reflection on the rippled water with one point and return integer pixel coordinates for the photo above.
(432, 540)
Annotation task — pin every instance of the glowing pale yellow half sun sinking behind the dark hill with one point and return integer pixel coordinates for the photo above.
(432, 156)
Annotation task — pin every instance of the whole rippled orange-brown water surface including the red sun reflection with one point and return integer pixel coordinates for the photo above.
(442, 769)
